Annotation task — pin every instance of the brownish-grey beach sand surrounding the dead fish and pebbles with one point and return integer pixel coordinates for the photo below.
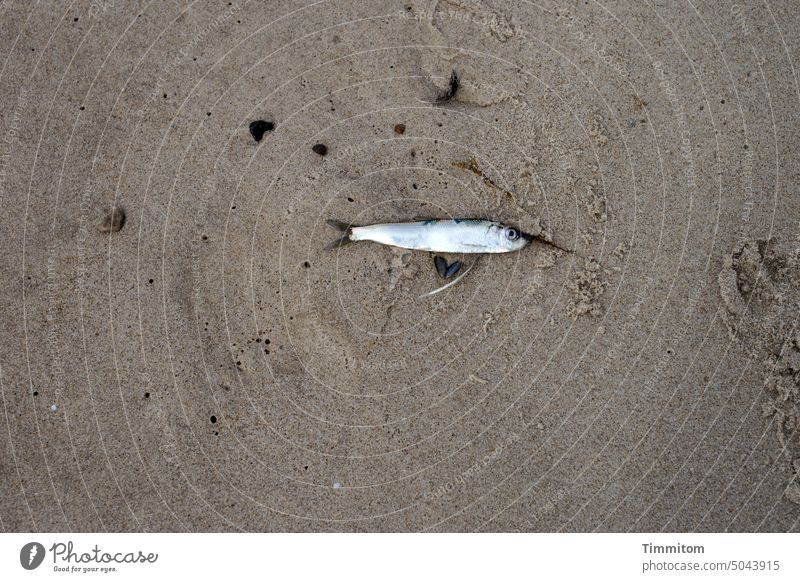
(179, 352)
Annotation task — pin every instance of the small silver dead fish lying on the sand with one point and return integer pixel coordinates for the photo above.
(440, 236)
